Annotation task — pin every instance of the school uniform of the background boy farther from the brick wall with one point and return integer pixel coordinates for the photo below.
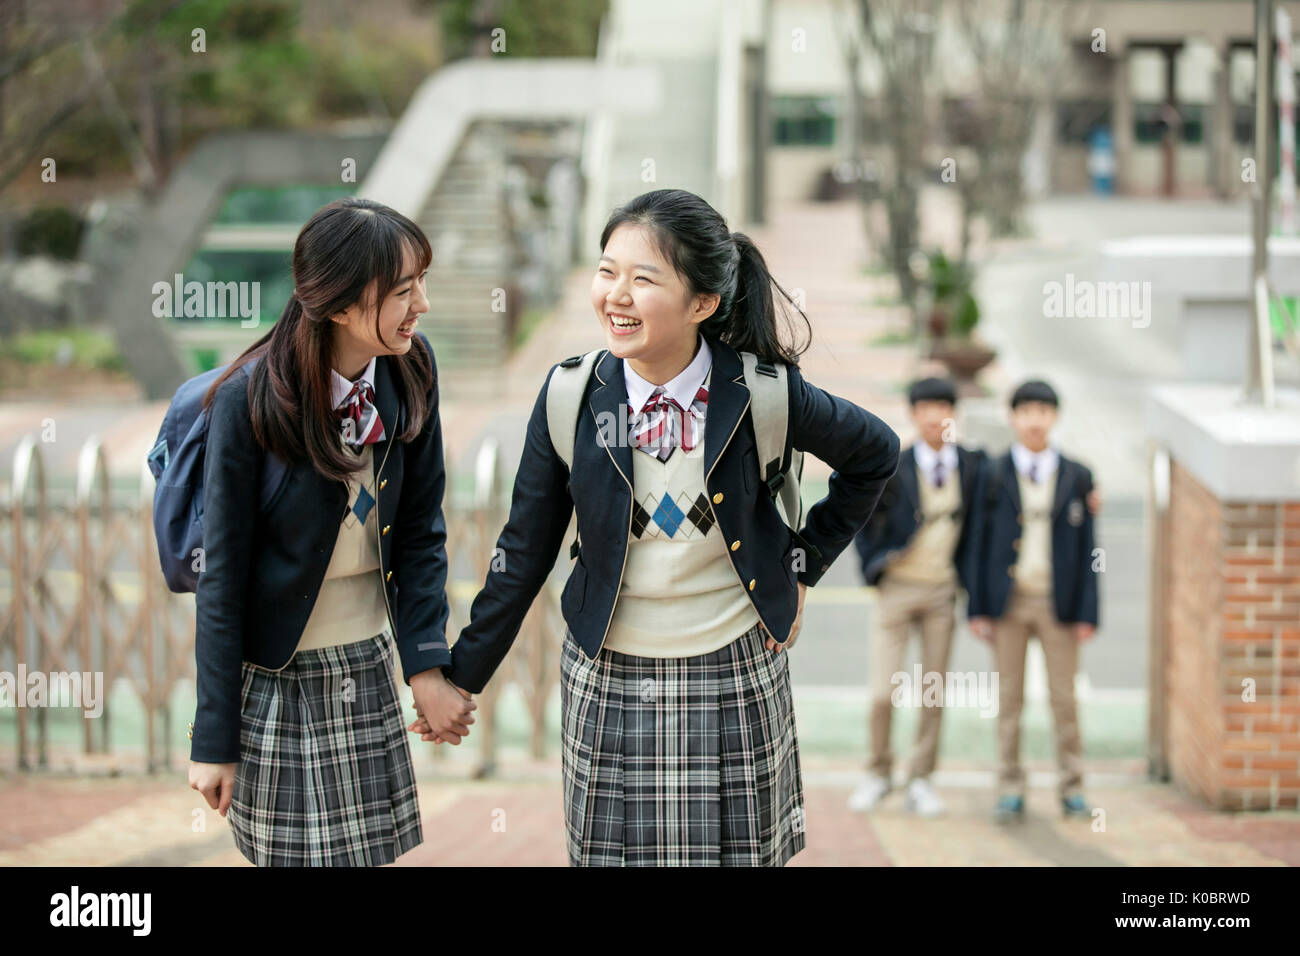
(915, 551)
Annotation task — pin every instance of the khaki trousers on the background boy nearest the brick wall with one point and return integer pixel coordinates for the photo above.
(1034, 616)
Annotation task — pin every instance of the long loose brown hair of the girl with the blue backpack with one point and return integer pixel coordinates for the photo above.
(344, 249)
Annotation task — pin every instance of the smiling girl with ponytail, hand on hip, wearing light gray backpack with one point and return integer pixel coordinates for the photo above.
(679, 743)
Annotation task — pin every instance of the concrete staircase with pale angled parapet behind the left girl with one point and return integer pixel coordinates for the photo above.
(447, 167)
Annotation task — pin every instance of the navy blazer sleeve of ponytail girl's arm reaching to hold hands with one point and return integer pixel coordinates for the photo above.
(540, 513)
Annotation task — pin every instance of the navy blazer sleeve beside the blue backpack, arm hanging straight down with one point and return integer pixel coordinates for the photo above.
(231, 499)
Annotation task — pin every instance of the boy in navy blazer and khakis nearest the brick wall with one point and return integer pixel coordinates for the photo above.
(1034, 574)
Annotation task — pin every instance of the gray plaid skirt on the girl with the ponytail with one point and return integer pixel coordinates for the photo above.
(683, 762)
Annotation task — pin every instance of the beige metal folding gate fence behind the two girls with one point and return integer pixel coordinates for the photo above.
(86, 596)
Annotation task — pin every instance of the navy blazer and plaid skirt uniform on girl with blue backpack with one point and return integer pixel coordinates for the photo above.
(300, 613)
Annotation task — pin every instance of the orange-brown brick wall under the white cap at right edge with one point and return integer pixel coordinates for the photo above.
(1234, 616)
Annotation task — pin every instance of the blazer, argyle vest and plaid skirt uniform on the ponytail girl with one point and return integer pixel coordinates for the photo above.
(679, 741)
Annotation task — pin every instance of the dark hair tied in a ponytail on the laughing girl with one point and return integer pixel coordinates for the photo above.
(712, 259)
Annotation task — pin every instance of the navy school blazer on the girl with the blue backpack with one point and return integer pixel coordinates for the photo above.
(265, 566)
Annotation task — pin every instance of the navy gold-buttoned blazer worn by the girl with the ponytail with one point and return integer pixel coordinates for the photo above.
(768, 557)
